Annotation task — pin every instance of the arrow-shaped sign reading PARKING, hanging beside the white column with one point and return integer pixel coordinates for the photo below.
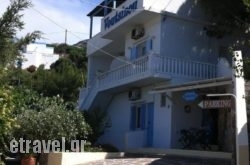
(212, 104)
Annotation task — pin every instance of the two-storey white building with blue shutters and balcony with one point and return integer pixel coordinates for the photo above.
(150, 67)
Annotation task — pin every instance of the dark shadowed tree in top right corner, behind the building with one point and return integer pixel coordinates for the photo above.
(230, 18)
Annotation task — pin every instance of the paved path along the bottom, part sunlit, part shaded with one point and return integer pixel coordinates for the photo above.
(160, 161)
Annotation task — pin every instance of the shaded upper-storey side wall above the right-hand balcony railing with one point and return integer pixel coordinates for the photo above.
(188, 40)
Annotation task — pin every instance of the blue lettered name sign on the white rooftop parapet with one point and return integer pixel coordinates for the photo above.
(120, 14)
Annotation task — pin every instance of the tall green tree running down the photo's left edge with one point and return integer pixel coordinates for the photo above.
(10, 23)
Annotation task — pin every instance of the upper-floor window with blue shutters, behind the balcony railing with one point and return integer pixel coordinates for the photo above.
(141, 49)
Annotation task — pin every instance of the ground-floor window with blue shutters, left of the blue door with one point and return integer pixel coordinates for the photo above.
(138, 117)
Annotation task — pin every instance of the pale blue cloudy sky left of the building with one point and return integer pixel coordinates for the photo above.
(53, 17)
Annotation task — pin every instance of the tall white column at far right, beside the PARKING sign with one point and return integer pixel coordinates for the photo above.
(242, 153)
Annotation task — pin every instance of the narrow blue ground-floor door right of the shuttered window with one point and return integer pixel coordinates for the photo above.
(150, 124)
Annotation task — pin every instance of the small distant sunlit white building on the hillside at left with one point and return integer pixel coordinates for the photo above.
(37, 54)
